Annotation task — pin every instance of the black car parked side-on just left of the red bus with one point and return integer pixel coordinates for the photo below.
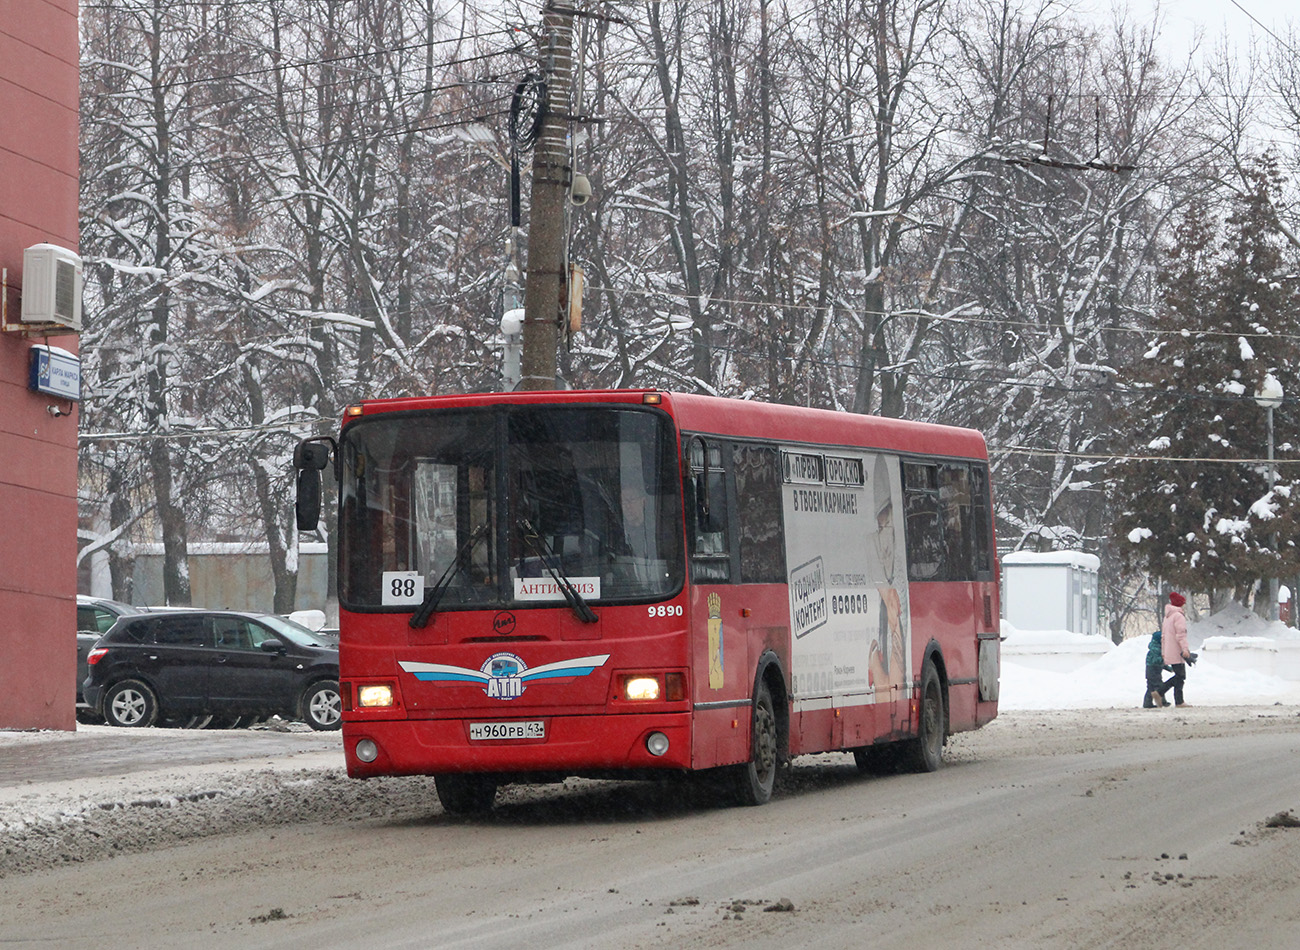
(177, 665)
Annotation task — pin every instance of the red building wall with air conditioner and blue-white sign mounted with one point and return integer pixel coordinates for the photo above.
(38, 452)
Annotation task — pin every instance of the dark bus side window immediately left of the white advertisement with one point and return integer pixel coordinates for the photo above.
(762, 543)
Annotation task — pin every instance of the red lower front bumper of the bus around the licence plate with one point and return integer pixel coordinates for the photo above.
(573, 745)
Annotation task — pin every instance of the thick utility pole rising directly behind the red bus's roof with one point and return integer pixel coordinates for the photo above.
(552, 179)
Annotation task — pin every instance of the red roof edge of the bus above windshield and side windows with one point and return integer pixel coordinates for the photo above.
(739, 419)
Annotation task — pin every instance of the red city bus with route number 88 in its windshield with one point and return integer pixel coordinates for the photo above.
(623, 584)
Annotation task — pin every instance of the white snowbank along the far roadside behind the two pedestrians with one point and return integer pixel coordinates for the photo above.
(1038, 675)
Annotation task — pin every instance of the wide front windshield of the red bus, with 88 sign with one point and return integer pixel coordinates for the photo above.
(492, 506)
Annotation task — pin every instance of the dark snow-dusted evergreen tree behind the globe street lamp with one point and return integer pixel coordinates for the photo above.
(1195, 505)
